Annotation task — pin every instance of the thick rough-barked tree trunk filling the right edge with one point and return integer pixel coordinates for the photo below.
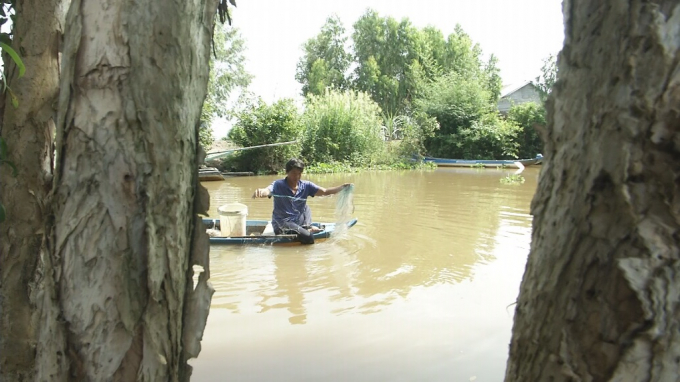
(599, 299)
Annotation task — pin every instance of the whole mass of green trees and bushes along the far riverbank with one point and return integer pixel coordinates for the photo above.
(387, 81)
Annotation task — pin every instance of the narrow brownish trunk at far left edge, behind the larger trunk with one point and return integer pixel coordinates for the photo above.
(28, 130)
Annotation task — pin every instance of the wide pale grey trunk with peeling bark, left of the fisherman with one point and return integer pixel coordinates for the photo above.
(119, 303)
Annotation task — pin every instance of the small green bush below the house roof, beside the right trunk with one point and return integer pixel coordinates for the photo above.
(529, 117)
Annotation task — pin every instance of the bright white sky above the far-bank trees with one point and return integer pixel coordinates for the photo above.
(521, 33)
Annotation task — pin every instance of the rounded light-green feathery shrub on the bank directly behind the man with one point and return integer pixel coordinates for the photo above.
(342, 127)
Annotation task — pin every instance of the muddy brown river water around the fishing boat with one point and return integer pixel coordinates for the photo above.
(421, 289)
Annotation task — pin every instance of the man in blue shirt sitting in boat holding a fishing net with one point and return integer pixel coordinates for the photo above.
(291, 212)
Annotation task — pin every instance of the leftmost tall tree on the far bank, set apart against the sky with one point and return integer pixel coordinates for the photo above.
(325, 62)
